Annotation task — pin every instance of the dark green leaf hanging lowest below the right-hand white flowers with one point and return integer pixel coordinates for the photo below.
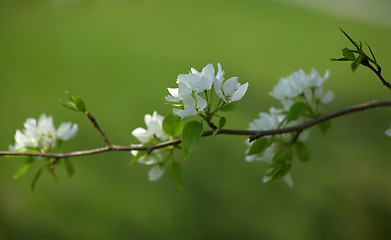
(282, 162)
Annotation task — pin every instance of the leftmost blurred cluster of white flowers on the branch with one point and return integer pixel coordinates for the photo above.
(42, 135)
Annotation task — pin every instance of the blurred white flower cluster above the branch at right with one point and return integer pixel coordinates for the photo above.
(298, 84)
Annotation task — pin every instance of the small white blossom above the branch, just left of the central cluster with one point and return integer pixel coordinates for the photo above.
(154, 128)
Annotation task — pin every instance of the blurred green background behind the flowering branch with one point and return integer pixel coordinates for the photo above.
(120, 56)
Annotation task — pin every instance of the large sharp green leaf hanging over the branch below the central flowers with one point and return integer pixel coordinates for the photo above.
(191, 137)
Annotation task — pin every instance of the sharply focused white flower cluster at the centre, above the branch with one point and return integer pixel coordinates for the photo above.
(192, 84)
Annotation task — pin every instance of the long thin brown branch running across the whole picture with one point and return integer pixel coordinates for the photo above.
(253, 134)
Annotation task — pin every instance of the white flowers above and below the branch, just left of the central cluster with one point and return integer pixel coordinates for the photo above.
(153, 132)
